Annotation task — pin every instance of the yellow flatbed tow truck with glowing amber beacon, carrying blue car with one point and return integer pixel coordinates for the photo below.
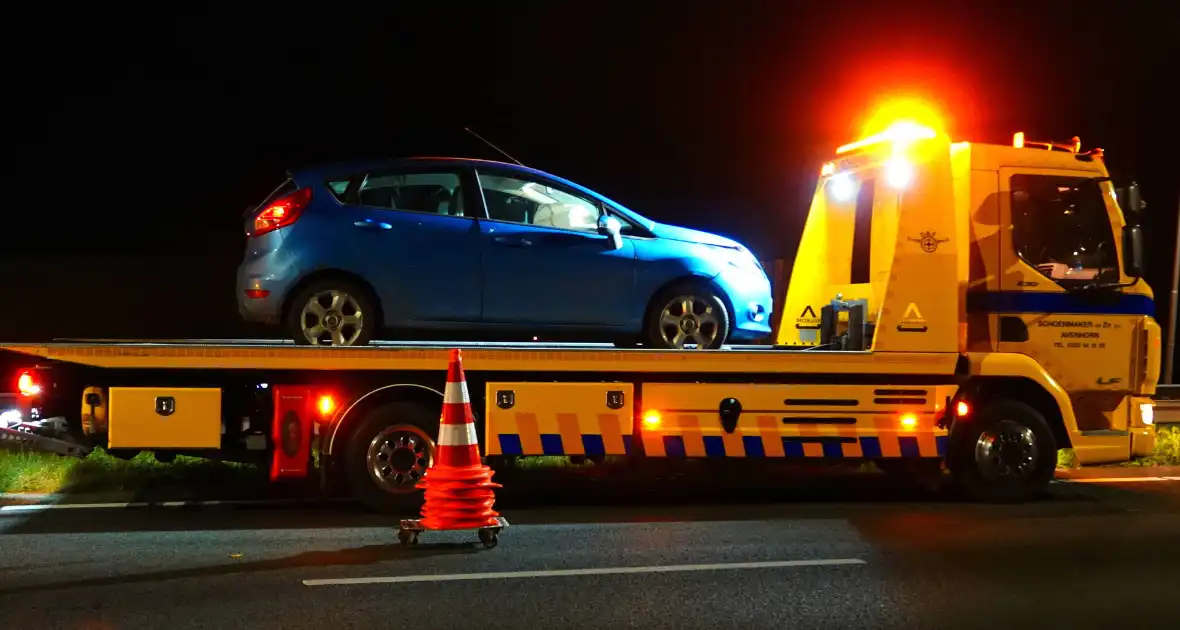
(971, 306)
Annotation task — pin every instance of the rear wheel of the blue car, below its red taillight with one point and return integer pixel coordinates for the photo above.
(332, 313)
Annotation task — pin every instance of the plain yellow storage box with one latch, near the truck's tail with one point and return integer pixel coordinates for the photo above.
(165, 418)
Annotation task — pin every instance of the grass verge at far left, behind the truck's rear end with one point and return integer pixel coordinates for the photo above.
(101, 472)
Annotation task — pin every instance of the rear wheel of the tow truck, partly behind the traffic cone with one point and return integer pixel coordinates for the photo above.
(389, 452)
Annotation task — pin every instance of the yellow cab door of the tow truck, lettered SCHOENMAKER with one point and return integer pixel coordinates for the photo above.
(1059, 244)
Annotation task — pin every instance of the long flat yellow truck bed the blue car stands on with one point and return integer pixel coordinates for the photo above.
(483, 357)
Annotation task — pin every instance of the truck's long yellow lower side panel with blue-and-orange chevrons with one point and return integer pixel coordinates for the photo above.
(790, 422)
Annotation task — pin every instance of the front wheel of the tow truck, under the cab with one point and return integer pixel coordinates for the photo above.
(1007, 454)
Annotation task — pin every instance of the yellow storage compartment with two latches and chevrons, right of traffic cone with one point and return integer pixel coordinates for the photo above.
(560, 419)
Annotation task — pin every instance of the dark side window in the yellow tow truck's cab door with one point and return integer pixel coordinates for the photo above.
(1061, 227)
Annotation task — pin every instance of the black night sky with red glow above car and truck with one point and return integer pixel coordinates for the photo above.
(135, 141)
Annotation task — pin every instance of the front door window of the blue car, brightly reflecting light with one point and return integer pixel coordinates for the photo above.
(536, 204)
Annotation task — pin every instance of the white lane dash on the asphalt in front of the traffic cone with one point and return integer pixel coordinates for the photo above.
(578, 573)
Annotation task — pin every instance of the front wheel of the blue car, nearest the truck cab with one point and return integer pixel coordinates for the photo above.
(690, 313)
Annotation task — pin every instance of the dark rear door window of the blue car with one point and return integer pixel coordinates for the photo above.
(432, 193)
